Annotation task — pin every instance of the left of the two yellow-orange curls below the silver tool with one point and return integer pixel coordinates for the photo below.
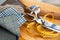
(31, 28)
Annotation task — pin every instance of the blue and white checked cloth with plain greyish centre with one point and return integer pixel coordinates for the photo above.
(11, 19)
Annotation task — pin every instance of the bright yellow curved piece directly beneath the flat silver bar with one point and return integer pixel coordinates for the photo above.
(44, 32)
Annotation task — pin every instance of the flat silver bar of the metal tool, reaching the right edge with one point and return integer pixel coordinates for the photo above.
(52, 26)
